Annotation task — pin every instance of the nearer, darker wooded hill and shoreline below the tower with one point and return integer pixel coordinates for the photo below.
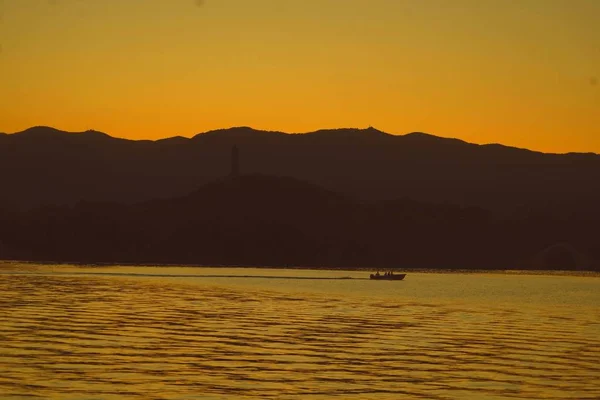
(260, 220)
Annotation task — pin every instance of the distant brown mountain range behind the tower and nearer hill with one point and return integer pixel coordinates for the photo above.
(42, 165)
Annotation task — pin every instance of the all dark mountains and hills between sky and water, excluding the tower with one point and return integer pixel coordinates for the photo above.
(332, 198)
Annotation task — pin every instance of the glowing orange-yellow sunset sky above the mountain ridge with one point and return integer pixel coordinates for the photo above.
(519, 72)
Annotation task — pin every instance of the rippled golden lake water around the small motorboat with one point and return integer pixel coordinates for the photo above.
(69, 332)
